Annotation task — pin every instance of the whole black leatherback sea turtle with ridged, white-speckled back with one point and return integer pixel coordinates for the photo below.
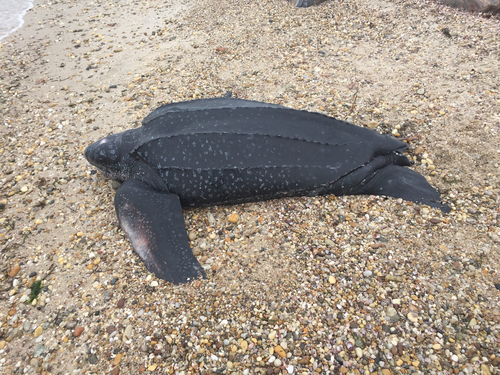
(227, 151)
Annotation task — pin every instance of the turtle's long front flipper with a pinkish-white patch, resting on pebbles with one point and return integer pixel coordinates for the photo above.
(153, 221)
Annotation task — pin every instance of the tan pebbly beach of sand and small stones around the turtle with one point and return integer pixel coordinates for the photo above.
(316, 285)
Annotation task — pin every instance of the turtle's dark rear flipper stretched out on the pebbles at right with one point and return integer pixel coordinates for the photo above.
(400, 182)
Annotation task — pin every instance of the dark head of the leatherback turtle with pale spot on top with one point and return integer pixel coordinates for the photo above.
(111, 155)
